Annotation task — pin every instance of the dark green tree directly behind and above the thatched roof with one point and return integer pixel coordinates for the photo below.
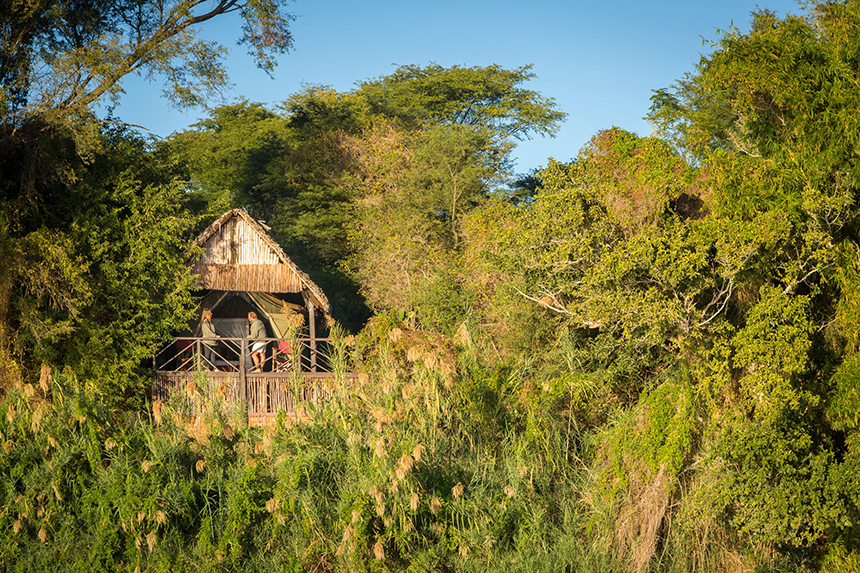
(284, 166)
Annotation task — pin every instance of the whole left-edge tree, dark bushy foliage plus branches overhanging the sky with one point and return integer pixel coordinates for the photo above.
(93, 231)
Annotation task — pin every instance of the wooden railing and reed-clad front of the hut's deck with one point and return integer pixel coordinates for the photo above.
(292, 372)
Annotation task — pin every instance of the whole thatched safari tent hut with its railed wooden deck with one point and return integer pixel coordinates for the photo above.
(239, 268)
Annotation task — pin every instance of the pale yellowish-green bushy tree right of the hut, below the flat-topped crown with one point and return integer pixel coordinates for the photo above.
(408, 225)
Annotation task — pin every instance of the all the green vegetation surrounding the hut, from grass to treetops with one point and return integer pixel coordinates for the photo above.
(647, 359)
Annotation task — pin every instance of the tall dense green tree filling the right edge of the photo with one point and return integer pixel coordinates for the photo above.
(770, 118)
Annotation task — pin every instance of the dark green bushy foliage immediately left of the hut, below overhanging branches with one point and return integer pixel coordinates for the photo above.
(111, 279)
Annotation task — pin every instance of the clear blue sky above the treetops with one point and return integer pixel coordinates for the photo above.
(600, 61)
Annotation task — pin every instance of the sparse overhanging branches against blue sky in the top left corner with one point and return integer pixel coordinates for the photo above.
(87, 49)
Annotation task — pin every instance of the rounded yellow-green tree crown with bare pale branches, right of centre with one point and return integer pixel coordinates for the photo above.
(608, 243)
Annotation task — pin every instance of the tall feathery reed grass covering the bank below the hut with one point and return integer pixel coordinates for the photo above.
(430, 462)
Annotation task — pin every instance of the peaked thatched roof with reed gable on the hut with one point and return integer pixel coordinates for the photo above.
(239, 255)
